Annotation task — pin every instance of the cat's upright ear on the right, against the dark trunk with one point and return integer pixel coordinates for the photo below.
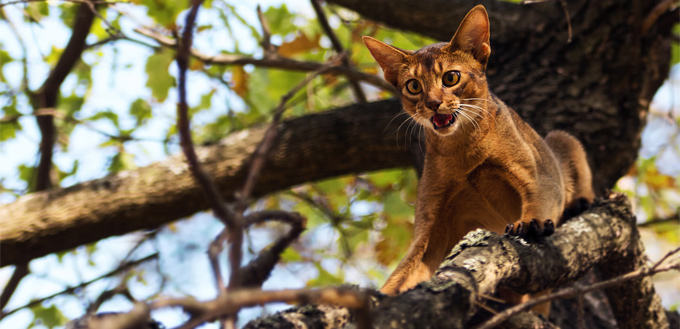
(473, 35)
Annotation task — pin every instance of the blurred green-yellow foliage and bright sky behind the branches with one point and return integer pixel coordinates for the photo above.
(116, 112)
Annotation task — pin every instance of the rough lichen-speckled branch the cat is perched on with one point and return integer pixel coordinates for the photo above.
(483, 261)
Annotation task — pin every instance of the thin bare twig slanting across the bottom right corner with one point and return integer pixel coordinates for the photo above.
(579, 290)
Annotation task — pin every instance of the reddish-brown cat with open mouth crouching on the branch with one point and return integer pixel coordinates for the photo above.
(484, 166)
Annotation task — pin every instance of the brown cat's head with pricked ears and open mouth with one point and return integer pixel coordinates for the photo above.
(441, 84)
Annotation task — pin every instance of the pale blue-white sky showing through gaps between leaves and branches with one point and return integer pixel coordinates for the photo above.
(183, 246)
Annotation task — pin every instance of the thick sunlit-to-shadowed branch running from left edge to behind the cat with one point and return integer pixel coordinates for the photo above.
(354, 139)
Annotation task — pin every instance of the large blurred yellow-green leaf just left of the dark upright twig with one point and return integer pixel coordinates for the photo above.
(158, 75)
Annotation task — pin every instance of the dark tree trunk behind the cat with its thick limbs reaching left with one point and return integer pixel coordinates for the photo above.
(598, 87)
